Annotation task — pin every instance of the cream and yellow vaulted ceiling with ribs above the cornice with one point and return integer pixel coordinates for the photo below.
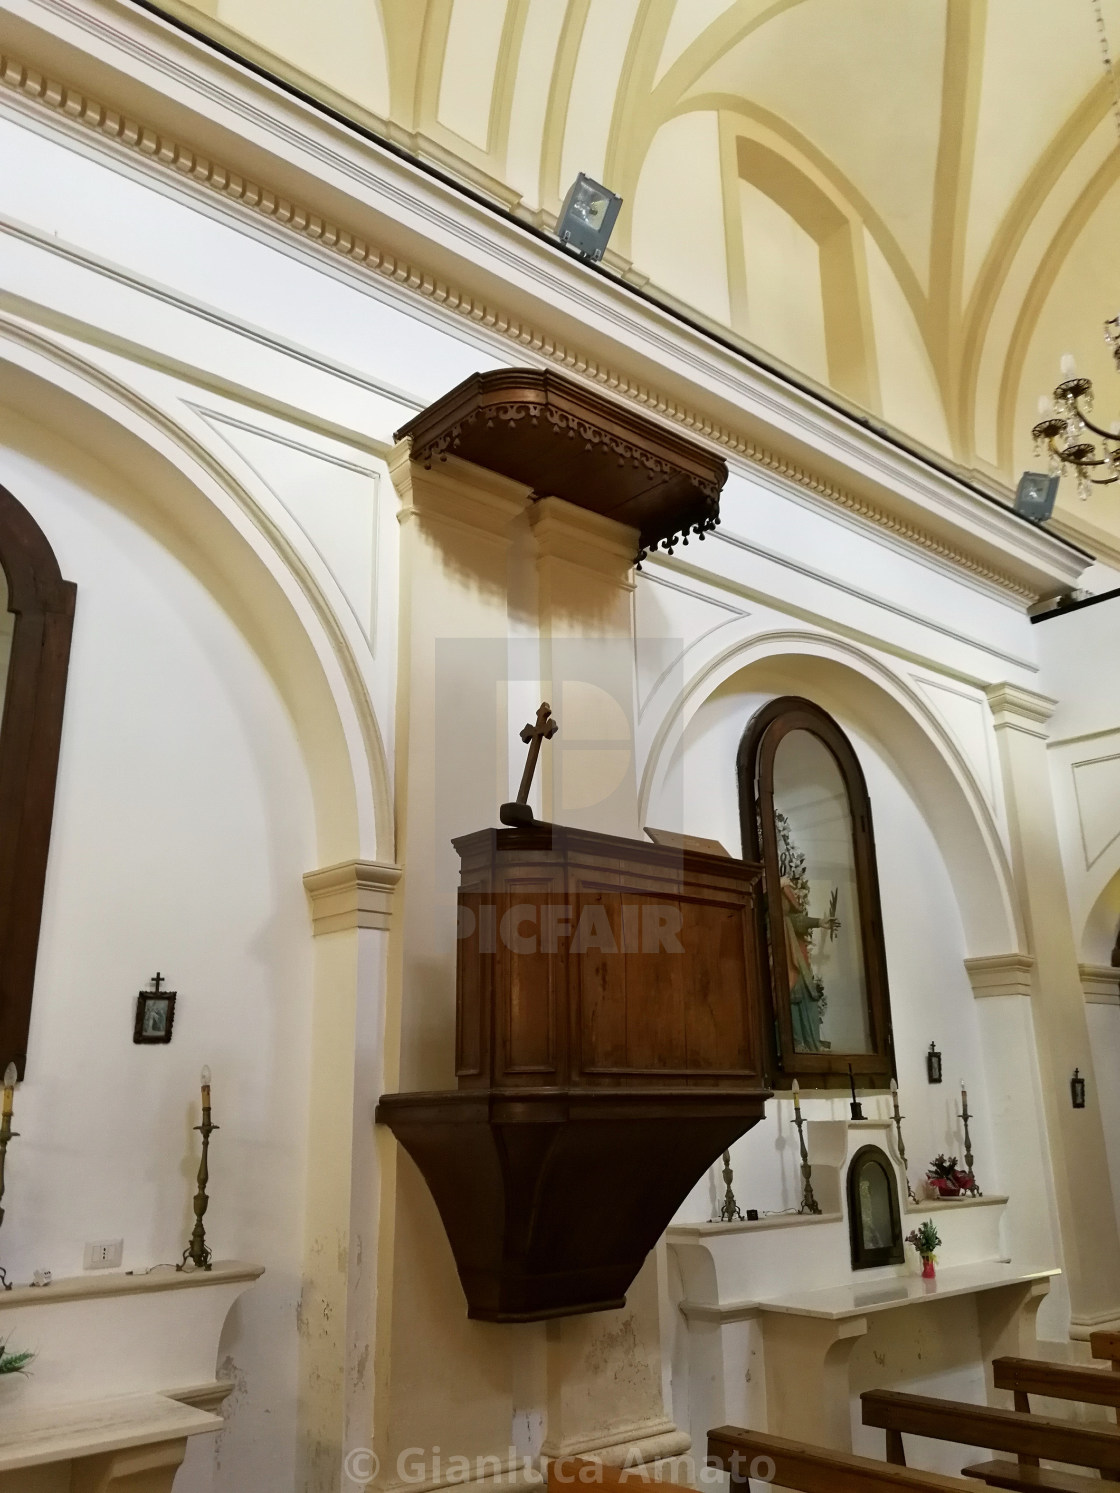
(912, 202)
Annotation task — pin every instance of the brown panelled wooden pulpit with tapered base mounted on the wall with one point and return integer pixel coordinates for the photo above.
(609, 1050)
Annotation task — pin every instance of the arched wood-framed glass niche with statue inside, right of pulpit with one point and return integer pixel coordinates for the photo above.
(806, 816)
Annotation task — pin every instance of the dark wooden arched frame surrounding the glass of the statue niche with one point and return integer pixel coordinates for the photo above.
(758, 749)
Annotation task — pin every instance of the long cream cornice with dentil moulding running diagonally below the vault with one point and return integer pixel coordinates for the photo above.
(629, 347)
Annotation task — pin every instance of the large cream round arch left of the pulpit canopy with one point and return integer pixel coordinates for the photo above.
(246, 550)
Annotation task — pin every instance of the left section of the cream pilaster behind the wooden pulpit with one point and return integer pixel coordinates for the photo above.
(441, 1380)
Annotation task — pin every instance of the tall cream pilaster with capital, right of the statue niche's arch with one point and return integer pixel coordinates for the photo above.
(1077, 1143)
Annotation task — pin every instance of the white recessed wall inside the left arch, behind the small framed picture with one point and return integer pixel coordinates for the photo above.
(183, 828)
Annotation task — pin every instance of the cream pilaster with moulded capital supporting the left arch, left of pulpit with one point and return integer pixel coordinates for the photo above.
(350, 914)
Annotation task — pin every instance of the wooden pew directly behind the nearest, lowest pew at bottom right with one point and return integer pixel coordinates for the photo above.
(1027, 1437)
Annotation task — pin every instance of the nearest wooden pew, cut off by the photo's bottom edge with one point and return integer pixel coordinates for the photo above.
(816, 1470)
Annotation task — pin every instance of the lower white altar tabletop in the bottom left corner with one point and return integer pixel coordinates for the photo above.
(35, 1439)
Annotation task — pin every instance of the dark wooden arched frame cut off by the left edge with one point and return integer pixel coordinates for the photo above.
(31, 738)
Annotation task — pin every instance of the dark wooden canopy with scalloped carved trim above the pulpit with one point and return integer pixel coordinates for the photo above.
(567, 441)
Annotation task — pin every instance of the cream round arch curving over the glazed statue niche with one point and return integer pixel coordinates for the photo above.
(886, 710)
